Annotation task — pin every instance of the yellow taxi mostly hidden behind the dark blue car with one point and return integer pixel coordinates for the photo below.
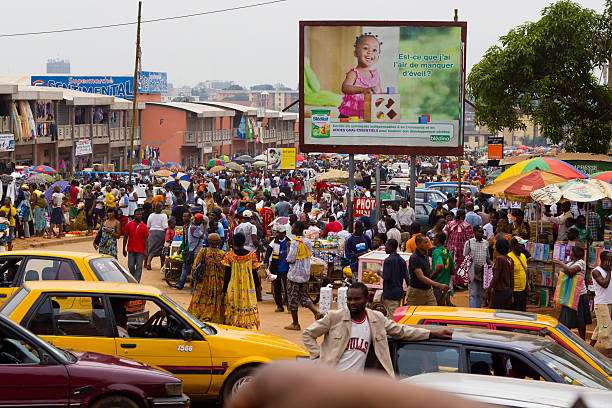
(506, 320)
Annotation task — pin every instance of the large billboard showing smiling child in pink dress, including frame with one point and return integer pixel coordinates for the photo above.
(382, 87)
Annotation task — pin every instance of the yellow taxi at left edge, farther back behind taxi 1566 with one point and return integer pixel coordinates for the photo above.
(17, 267)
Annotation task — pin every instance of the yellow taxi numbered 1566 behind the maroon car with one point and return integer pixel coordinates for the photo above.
(212, 360)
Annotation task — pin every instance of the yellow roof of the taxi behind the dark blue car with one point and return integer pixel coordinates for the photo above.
(488, 315)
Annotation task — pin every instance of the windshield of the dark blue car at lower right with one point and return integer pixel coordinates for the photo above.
(571, 368)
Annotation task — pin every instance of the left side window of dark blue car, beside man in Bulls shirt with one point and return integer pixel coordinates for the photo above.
(413, 358)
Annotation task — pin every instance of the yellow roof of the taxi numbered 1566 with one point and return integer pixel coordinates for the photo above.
(91, 287)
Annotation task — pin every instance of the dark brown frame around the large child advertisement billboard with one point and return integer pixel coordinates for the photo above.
(389, 150)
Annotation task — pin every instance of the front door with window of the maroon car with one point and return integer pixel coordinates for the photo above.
(26, 381)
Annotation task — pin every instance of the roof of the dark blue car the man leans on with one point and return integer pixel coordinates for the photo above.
(497, 338)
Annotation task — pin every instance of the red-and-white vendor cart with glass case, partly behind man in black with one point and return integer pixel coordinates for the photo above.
(370, 266)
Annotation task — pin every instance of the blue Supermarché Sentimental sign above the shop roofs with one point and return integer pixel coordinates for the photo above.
(119, 86)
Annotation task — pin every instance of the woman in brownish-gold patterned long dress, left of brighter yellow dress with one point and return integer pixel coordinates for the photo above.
(207, 299)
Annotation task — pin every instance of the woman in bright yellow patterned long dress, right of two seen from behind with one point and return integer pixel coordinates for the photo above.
(239, 286)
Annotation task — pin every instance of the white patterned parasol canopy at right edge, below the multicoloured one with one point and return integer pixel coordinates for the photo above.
(583, 191)
